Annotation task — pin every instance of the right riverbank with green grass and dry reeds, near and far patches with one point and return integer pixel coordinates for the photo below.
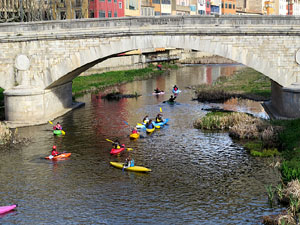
(278, 139)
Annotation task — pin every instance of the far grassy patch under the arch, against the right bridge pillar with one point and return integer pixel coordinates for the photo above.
(246, 83)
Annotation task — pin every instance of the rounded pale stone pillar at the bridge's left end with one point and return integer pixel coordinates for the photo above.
(32, 105)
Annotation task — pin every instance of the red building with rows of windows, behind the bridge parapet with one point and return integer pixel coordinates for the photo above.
(106, 8)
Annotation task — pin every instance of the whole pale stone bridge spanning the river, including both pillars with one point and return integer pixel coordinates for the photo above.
(39, 60)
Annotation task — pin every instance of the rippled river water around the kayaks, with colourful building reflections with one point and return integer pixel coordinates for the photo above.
(197, 177)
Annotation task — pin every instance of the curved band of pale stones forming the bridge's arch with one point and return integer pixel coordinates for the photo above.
(80, 61)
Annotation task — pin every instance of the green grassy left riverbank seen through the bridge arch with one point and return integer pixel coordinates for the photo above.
(95, 82)
